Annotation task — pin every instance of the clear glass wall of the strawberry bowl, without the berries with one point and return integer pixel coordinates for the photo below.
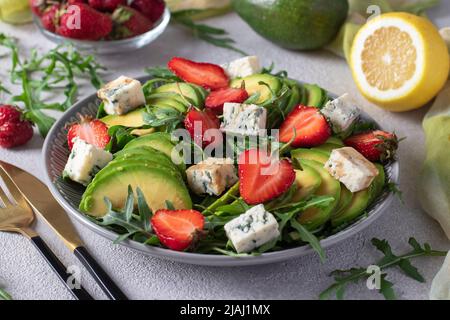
(113, 46)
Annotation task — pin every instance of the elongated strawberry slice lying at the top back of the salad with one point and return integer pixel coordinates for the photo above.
(207, 75)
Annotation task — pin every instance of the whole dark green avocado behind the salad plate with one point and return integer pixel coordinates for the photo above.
(294, 24)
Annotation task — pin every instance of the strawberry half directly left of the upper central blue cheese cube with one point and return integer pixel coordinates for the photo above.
(198, 122)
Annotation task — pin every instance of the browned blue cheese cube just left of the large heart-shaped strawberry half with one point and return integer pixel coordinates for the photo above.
(211, 176)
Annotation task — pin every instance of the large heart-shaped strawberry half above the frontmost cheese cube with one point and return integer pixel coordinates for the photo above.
(262, 177)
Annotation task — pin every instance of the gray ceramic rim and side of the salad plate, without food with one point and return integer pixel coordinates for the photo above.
(55, 155)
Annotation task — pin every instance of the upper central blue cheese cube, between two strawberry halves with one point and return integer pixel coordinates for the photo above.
(244, 119)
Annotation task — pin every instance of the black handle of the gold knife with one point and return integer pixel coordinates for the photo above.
(101, 277)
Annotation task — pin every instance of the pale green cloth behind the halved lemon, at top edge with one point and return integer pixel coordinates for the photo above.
(358, 15)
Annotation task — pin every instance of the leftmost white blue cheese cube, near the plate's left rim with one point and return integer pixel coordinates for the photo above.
(85, 160)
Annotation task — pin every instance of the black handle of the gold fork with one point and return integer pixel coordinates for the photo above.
(59, 268)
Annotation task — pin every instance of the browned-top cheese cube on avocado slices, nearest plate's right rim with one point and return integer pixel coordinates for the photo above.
(351, 168)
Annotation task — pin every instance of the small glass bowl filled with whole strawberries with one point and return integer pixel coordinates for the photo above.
(101, 26)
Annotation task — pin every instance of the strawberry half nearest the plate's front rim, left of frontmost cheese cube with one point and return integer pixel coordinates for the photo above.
(177, 229)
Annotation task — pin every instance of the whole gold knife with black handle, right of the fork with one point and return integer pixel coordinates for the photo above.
(42, 202)
